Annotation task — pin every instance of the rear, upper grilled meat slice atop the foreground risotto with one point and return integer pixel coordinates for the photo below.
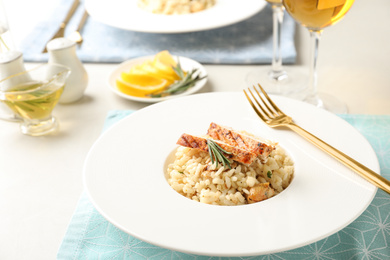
(237, 139)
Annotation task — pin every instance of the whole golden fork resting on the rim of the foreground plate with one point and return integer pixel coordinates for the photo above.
(274, 117)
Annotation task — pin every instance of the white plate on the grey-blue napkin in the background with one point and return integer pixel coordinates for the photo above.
(125, 14)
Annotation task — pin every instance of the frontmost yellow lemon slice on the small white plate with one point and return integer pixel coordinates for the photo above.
(140, 85)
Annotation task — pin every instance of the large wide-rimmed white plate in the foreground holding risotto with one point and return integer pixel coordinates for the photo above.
(124, 178)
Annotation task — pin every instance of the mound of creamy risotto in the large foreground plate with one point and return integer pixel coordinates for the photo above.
(193, 175)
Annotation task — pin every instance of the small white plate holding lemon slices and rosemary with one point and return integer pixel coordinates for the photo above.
(186, 64)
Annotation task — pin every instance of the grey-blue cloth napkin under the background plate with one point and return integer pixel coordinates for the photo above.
(246, 42)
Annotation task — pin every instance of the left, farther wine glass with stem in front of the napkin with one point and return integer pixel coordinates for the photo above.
(277, 79)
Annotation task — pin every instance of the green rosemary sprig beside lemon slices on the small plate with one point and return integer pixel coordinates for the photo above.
(185, 82)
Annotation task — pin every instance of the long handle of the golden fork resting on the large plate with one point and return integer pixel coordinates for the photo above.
(357, 167)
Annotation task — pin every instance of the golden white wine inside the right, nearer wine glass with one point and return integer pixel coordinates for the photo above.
(317, 14)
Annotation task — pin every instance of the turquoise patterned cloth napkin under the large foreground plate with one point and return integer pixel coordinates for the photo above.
(90, 236)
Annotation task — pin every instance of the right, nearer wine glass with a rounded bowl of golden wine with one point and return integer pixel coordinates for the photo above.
(315, 15)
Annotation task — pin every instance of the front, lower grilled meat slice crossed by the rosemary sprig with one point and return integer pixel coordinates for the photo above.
(237, 154)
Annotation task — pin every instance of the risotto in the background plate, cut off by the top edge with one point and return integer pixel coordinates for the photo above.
(169, 7)
